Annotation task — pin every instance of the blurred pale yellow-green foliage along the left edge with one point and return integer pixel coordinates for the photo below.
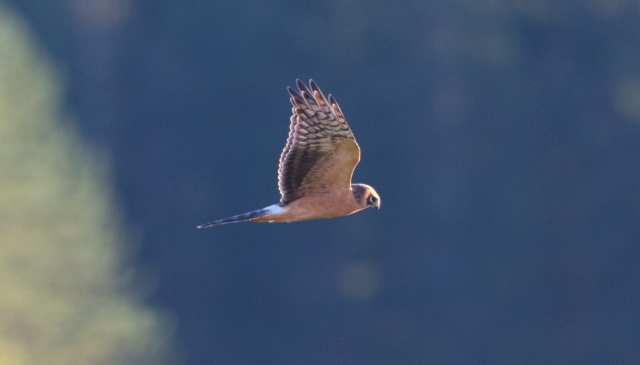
(66, 294)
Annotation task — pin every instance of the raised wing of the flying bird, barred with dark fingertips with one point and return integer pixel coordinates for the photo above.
(321, 152)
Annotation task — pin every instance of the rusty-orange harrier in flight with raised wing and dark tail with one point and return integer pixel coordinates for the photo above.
(316, 165)
